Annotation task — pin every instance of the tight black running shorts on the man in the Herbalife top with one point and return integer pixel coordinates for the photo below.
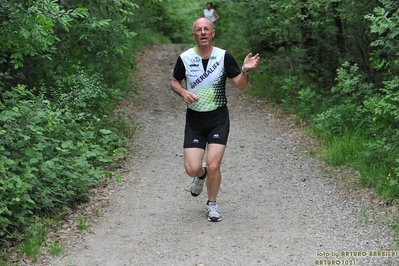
(206, 127)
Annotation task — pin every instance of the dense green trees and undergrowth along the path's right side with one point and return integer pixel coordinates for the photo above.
(336, 64)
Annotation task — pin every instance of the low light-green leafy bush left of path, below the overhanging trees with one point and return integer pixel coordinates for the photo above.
(50, 157)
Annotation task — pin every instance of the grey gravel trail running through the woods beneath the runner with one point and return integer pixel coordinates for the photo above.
(278, 206)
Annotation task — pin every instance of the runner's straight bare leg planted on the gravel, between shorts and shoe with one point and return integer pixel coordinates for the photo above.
(213, 162)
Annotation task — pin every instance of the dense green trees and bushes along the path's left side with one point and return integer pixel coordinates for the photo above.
(63, 67)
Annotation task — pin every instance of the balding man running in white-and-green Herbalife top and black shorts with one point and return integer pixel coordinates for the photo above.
(205, 69)
